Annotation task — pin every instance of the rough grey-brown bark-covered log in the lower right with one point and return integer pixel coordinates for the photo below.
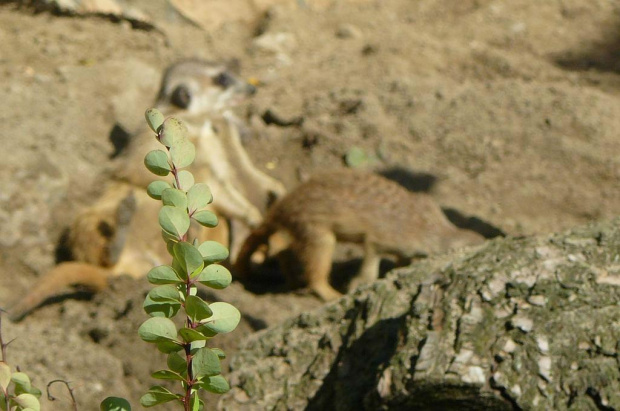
(528, 323)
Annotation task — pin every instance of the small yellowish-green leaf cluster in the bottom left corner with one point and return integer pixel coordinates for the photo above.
(16, 391)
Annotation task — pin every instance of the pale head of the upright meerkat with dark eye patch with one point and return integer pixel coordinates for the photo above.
(198, 86)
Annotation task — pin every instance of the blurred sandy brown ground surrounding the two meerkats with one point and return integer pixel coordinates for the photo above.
(511, 108)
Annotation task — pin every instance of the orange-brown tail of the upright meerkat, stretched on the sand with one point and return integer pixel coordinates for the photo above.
(57, 280)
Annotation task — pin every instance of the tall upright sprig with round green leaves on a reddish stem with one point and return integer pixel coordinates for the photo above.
(190, 362)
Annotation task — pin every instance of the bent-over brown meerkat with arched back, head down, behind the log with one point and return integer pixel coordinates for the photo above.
(302, 228)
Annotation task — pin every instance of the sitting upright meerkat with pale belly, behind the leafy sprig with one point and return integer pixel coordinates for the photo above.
(119, 234)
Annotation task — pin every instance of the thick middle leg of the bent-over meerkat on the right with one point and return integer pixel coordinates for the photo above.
(315, 252)
